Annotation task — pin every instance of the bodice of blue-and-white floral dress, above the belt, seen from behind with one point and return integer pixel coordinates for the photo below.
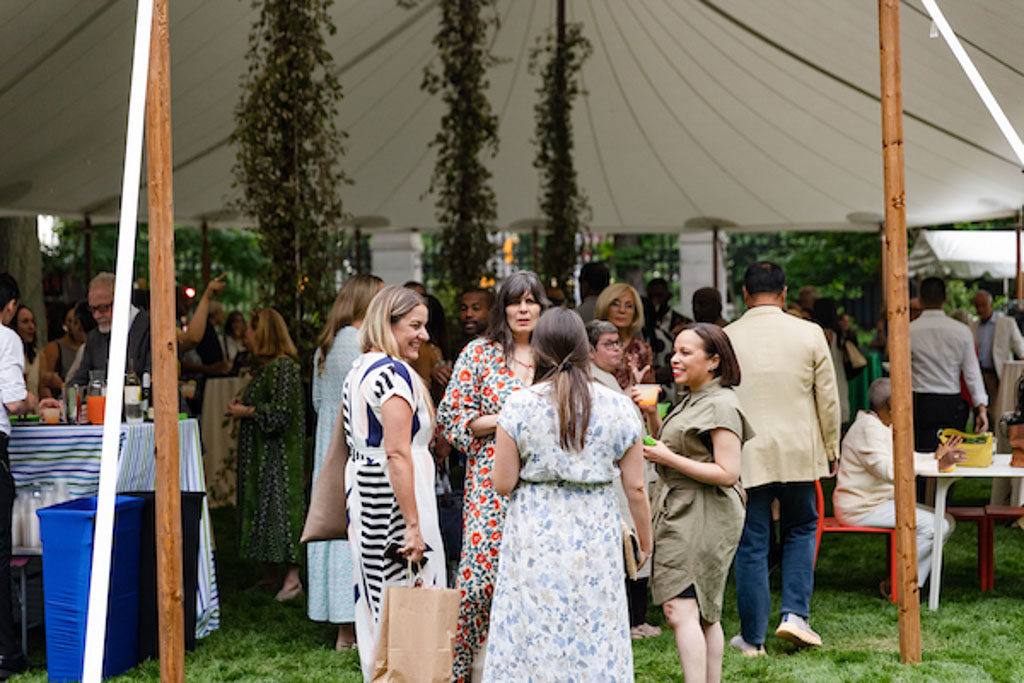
(531, 419)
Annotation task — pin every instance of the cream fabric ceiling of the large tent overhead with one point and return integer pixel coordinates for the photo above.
(763, 114)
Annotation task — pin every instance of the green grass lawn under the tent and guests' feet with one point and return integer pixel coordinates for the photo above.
(972, 637)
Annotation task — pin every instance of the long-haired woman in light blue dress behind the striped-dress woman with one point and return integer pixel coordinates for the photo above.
(329, 564)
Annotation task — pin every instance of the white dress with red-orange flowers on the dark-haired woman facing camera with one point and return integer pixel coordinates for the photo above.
(481, 385)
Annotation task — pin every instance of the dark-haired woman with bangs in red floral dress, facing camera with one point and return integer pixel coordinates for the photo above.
(486, 373)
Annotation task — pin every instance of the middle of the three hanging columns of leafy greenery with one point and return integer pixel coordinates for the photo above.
(466, 205)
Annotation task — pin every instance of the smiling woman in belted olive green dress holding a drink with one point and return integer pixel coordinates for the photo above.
(699, 508)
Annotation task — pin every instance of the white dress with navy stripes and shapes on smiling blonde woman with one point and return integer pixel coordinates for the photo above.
(375, 520)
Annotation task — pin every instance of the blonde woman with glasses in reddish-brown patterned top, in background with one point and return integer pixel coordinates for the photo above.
(621, 306)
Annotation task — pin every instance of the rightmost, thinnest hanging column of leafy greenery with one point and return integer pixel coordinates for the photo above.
(560, 59)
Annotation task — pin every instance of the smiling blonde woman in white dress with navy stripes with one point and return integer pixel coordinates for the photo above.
(390, 477)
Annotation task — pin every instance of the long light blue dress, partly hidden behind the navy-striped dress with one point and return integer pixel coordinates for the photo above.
(330, 563)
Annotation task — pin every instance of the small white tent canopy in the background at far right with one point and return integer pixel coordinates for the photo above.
(964, 254)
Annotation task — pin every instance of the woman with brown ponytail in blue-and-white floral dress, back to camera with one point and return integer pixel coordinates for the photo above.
(560, 612)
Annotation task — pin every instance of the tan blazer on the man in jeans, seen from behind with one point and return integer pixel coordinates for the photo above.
(788, 392)
